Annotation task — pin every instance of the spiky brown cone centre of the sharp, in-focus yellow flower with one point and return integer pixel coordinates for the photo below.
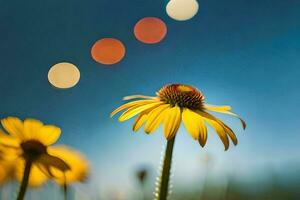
(184, 96)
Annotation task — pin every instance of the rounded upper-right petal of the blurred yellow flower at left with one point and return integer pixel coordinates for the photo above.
(48, 134)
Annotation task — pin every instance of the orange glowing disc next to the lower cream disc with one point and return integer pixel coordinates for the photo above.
(108, 51)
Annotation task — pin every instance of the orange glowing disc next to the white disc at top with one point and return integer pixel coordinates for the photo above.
(150, 30)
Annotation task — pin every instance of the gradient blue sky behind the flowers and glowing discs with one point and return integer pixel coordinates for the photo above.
(238, 52)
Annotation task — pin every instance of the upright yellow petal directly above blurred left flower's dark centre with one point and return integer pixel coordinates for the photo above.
(32, 128)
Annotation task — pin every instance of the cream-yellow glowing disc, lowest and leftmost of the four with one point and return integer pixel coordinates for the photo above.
(64, 75)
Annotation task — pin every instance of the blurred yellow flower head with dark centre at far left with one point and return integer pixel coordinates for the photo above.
(30, 141)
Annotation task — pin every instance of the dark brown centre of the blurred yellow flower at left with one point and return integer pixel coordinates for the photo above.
(33, 149)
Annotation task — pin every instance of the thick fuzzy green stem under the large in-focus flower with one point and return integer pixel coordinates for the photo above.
(165, 175)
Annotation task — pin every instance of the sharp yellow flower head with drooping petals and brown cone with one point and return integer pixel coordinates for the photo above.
(175, 103)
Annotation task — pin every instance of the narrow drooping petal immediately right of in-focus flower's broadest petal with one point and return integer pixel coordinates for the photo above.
(217, 126)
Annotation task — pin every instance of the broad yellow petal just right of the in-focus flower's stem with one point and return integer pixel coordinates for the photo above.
(195, 125)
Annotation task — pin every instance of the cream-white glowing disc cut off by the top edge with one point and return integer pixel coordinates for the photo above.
(182, 10)
